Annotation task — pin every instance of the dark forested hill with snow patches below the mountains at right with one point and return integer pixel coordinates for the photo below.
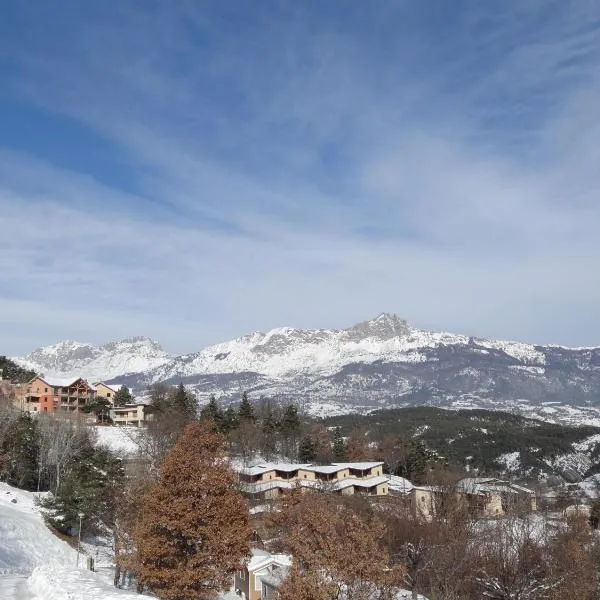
(488, 441)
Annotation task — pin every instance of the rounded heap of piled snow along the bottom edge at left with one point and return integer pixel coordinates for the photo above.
(51, 583)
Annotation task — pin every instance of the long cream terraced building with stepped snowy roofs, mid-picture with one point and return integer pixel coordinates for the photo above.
(271, 480)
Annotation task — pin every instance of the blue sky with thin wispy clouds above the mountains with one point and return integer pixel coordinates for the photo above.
(195, 170)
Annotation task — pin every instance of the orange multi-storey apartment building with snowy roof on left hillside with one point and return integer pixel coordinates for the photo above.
(49, 394)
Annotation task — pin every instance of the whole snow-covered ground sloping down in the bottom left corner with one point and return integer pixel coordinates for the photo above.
(37, 565)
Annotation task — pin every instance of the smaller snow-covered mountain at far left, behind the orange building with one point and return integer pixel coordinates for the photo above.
(96, 363)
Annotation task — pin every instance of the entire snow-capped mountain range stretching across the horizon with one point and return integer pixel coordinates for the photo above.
(379, 363)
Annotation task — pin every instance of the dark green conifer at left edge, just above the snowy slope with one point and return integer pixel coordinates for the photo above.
(18, 453)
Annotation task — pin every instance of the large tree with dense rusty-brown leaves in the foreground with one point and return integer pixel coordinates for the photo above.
(194, 528)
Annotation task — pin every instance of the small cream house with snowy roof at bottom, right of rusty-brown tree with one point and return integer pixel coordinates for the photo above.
(259, 578)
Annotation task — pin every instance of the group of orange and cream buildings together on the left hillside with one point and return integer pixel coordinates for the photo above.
(72, 396)
